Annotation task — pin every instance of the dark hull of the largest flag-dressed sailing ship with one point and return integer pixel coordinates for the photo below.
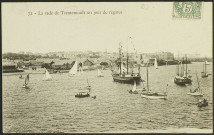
(128, 80)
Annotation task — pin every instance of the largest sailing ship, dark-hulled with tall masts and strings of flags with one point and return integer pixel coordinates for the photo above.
(124, 76)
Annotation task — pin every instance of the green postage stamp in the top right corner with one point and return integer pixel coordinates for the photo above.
(191, 10)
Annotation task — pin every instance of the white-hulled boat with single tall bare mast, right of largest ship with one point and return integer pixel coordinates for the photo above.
(152, 95)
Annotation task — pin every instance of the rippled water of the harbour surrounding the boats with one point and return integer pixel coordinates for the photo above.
(51, 106)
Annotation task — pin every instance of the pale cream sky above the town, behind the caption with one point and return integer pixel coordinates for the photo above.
(151, 27)
